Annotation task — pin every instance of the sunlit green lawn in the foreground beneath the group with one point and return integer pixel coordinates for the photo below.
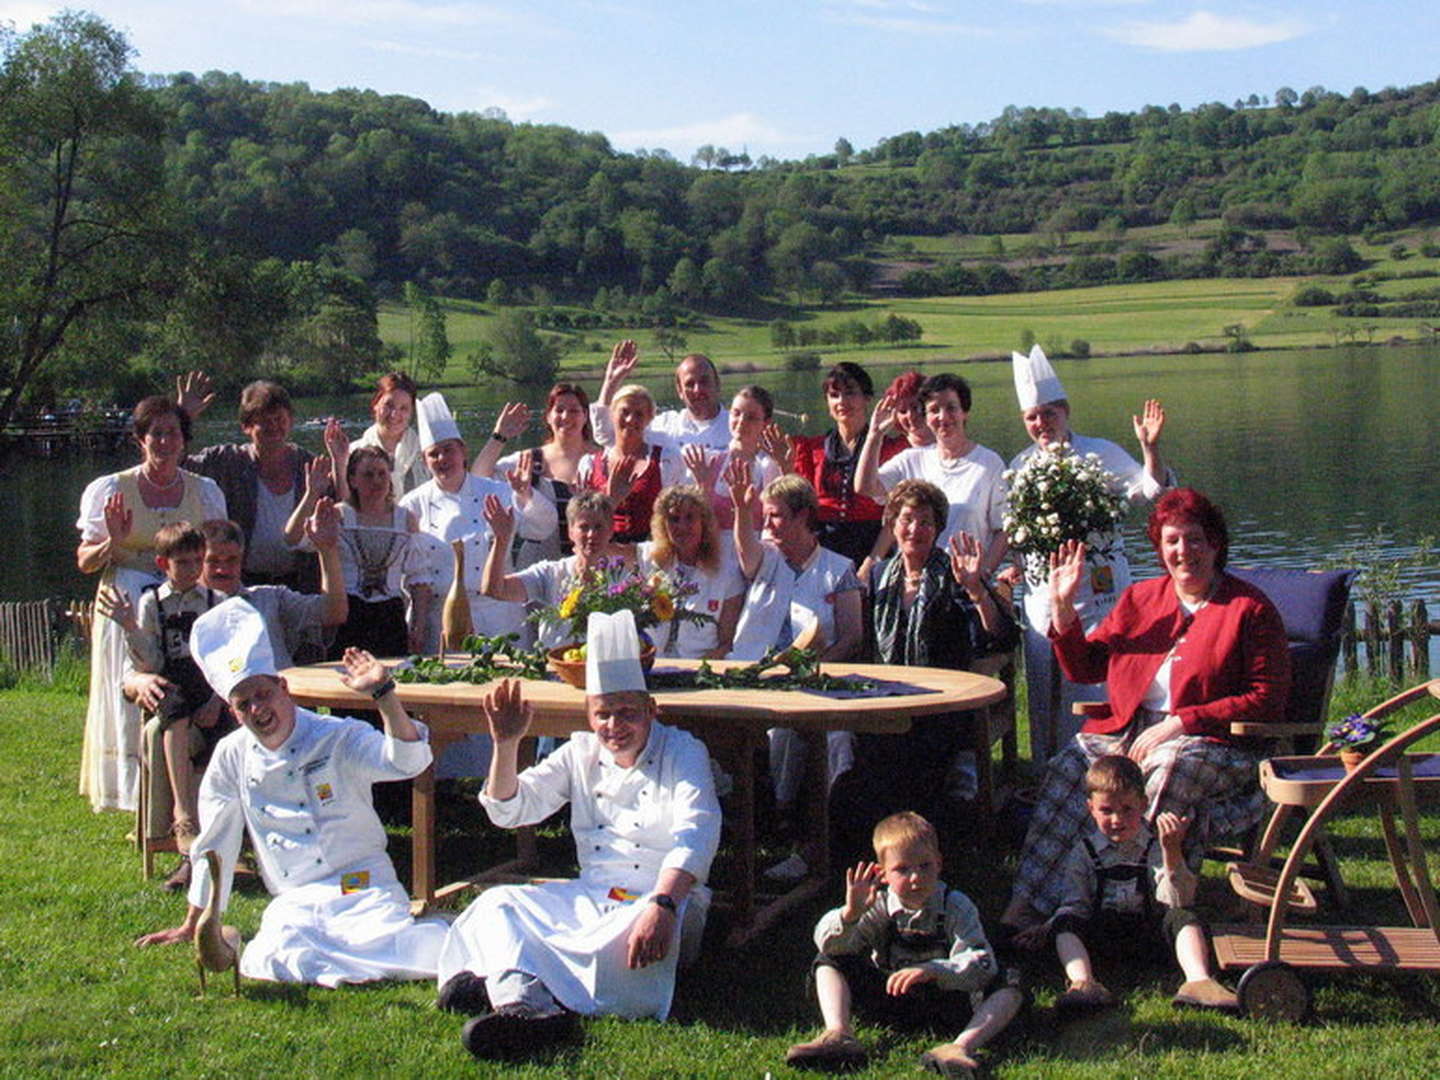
(77, 999)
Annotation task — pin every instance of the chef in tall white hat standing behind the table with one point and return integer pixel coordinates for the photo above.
(451, 506)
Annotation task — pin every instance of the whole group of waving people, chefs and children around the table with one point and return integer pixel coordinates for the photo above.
(881, 539)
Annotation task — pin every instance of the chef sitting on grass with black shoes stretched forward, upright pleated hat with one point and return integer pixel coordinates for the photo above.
(646, 824)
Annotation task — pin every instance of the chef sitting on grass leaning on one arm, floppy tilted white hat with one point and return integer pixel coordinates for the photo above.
(300, 783)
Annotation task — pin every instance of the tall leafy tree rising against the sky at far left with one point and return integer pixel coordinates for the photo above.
(83, 214)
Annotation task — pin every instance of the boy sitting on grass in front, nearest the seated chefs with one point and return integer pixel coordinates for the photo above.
(912, 955)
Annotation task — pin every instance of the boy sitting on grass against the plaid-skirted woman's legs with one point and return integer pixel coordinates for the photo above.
(1127, 891)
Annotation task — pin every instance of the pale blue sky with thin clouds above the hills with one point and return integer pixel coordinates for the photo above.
(787, 77)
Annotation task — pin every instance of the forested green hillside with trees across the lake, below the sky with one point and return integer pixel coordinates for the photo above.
(152, 224)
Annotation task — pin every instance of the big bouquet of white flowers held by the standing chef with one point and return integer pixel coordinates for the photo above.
(1059, 496)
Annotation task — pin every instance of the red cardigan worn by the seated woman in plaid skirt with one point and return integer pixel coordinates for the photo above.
(1235, 663)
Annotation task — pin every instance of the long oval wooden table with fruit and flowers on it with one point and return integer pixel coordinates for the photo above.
(732, 724)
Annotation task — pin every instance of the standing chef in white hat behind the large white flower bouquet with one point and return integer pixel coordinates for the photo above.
(1046, 414)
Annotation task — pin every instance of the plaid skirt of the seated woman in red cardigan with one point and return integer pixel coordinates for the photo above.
(1212, 783)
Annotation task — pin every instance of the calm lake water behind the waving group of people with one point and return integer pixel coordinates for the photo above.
(1305, 450)
